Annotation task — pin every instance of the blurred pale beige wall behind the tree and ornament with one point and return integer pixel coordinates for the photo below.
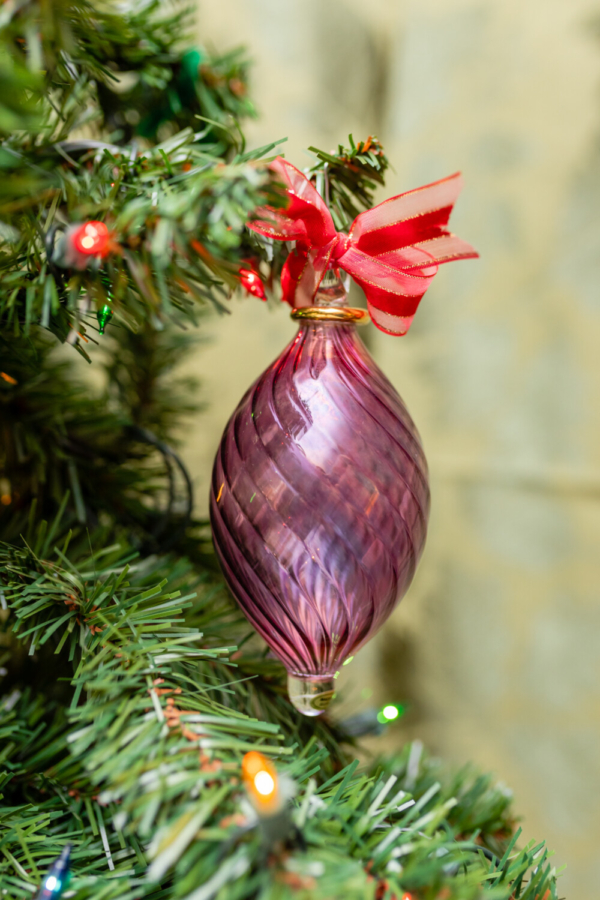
(497, 646)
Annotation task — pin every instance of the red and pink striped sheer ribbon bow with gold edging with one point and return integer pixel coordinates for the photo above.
(392, 251)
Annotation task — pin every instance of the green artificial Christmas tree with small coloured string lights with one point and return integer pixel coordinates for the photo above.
(128, 711)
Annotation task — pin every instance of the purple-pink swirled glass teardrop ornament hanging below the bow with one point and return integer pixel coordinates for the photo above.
(319, 505)
